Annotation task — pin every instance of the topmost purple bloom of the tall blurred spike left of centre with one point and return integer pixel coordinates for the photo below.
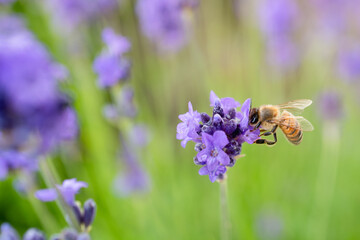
(110, 65)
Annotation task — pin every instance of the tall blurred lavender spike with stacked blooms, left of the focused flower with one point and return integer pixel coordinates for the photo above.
(111, 67)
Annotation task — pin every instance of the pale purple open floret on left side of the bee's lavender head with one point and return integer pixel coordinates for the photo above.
(187, 130)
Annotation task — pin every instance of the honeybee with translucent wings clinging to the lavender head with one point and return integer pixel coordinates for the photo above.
(269, 117)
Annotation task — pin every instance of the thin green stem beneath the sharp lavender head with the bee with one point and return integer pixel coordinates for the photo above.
(224, 210)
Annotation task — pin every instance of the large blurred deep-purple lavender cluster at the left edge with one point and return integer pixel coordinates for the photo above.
(34, 114)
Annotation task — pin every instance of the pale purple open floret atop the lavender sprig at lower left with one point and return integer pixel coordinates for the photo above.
(68, 190)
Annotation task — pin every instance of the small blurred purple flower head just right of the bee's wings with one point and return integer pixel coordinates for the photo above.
(330, 105)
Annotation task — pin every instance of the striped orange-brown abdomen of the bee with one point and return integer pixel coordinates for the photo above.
(291, 128)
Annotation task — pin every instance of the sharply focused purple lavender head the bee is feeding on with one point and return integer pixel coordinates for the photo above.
(218, 137)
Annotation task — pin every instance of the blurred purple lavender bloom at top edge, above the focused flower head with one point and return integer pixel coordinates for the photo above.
(162, 22)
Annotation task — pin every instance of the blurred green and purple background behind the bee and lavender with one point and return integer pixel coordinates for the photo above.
(271, 51)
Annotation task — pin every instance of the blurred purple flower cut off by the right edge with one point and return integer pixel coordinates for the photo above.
(349, 65)
